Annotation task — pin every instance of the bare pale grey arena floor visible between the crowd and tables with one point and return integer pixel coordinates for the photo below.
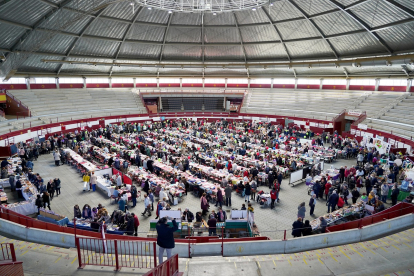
(271, 223)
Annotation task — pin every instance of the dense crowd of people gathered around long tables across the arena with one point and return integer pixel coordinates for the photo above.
(259, 142)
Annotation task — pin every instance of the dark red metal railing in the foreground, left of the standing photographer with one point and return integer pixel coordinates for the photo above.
(116, 253)
